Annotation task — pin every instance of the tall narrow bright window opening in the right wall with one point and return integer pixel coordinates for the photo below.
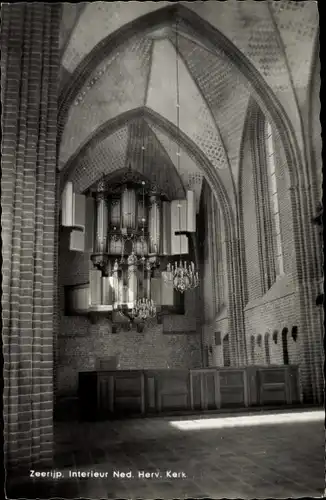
(274, 202)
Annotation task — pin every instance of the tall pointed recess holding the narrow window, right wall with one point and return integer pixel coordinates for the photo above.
(258, 151)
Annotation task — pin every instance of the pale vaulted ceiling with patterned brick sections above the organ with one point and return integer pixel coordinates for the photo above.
(102, 80)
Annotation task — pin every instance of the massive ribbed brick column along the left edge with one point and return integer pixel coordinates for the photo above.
(30, 68)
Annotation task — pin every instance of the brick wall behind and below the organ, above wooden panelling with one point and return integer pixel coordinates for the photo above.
(173, 344)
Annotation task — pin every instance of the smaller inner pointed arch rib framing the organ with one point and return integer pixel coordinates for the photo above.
(212, 177)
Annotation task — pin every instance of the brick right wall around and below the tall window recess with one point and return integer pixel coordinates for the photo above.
(278, 308)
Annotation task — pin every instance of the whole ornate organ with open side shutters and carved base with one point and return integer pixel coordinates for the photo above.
(137, 241)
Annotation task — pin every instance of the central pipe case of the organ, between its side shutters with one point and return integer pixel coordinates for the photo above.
(127, 243)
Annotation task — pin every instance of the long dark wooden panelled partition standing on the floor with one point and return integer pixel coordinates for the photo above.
(107, 394)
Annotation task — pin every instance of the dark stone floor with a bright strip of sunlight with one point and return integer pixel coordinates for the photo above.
(251, 455)
